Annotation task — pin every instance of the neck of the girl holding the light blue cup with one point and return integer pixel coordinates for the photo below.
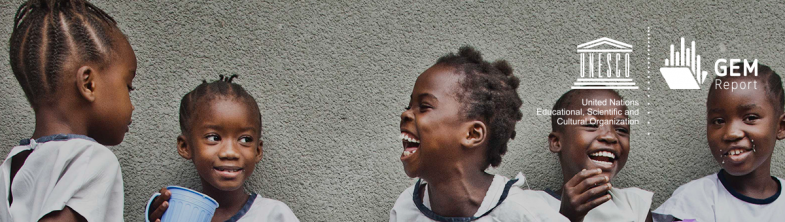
(229, 202)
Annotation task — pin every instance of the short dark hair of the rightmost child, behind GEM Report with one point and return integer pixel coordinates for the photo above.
(772, 84)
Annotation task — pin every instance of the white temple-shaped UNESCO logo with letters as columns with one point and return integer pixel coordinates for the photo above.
(605, 64)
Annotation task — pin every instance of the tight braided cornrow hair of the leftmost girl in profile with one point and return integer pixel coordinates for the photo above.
(47, 33)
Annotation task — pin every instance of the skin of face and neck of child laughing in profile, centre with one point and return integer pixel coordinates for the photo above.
(451, 154)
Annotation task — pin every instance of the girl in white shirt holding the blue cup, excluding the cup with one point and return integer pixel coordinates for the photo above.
(221, 133)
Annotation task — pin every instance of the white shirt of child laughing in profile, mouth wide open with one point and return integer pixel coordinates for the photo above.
(516, 207)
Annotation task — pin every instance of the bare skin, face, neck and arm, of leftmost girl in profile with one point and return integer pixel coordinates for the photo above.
(91, 101)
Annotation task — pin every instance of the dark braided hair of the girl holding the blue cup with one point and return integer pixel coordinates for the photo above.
(207, 92)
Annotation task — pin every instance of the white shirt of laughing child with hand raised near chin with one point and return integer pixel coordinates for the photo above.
(626, 205)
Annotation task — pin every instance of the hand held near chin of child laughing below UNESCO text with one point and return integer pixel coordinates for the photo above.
(585, 191)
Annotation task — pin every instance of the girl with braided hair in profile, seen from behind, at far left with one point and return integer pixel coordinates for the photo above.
(76, 68)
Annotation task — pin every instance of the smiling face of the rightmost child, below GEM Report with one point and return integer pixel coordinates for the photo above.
(737, 122)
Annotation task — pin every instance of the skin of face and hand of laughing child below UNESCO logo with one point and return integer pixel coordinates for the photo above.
(587, 181)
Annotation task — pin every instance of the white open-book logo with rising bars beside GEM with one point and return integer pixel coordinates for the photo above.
(682, 70)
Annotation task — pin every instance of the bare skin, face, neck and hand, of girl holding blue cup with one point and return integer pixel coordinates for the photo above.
(226, 134)
